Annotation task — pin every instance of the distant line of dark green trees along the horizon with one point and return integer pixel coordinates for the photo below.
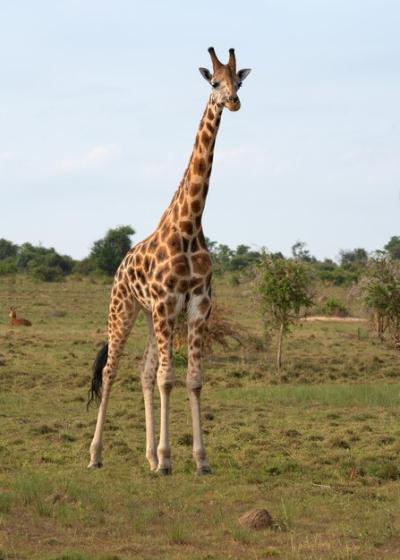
(106, 254)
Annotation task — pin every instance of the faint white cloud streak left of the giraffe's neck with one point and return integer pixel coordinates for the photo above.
(94, 158)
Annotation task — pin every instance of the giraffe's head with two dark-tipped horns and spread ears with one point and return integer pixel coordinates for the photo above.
(225, 80)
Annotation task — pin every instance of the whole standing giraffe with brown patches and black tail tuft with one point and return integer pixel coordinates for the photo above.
(166, 273)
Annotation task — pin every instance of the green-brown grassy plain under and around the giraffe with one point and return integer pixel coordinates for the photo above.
(318, 447)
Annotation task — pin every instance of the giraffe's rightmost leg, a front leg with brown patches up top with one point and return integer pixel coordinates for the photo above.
(199, 309)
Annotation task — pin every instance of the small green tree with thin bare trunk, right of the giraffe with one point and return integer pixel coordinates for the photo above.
(285, 288)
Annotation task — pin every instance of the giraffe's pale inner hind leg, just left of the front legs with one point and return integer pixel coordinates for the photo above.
(148, 378)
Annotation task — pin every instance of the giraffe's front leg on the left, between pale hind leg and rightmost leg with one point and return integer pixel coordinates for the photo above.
(165, 381)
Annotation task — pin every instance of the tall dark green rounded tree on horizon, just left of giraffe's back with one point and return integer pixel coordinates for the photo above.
(107, 253)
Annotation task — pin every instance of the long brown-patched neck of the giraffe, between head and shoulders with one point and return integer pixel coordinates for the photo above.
(187, 206)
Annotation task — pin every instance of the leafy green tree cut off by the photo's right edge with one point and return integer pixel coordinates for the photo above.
(381, 288)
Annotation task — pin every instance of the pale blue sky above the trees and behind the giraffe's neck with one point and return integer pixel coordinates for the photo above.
(100, 102)
